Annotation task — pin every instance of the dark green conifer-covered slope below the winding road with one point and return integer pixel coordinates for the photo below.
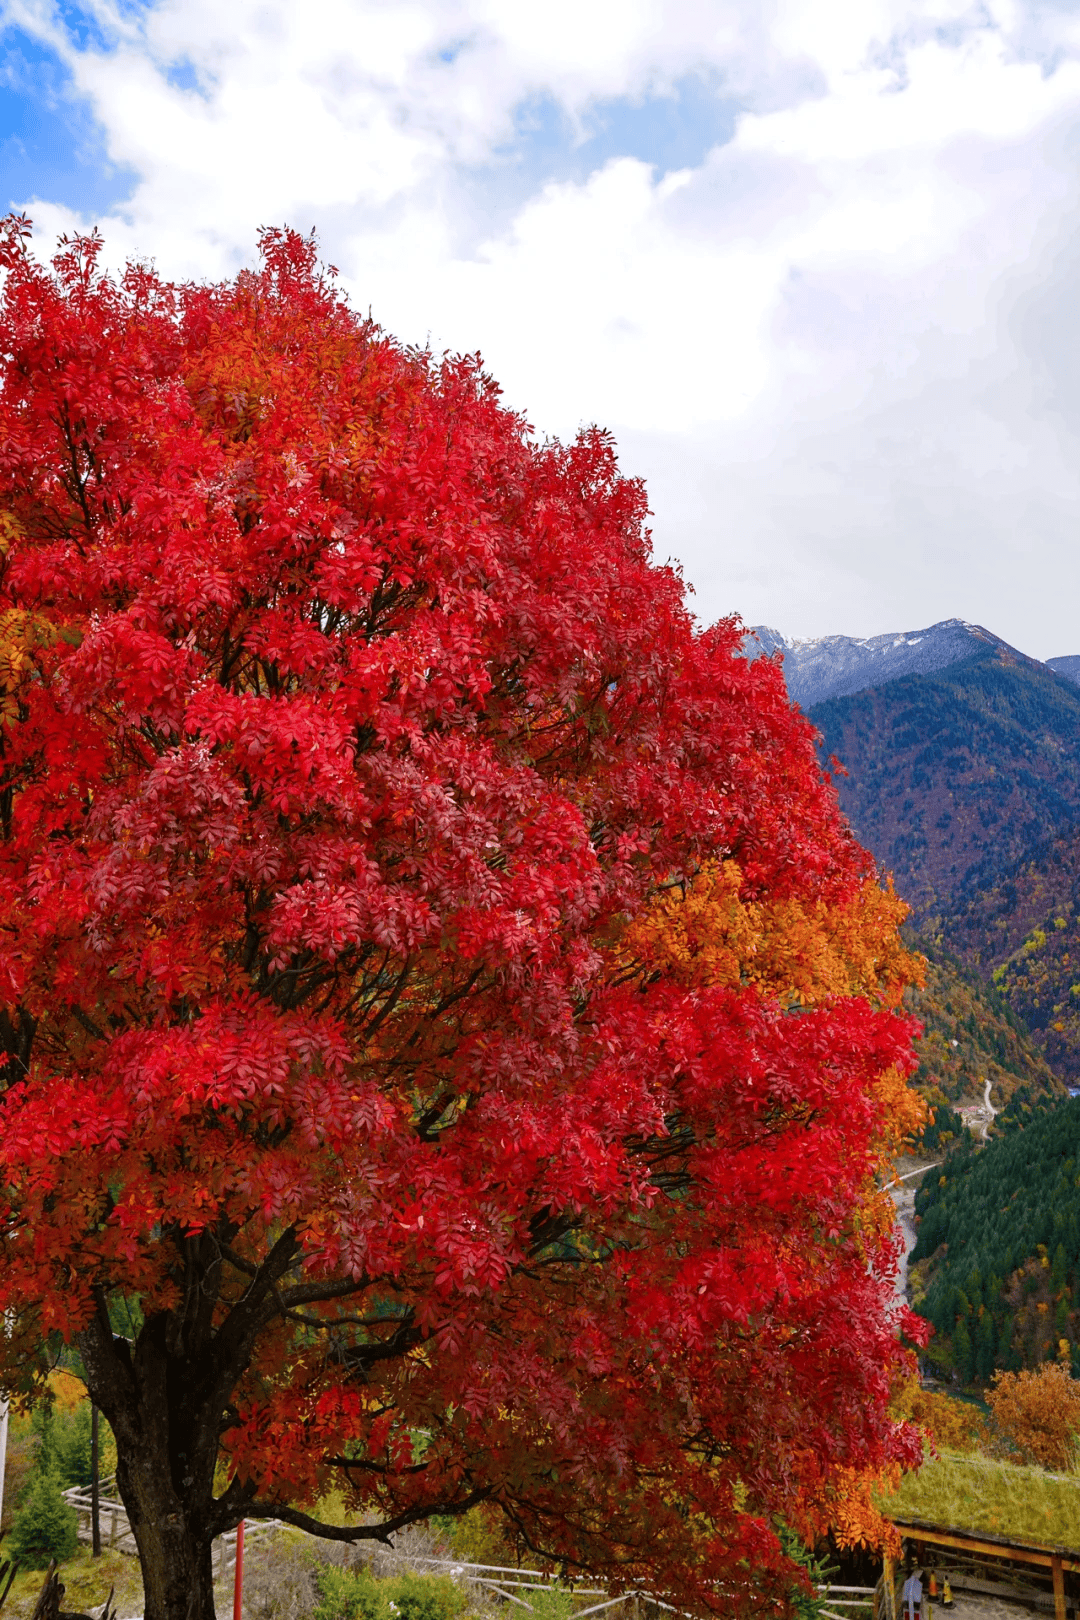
(998, 1250)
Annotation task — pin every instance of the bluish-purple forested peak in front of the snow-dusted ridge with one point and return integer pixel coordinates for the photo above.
(956, 777)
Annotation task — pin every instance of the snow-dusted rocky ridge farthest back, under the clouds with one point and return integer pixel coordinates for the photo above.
(835, 667)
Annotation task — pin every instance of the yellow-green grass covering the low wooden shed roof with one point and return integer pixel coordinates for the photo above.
(984, 1494)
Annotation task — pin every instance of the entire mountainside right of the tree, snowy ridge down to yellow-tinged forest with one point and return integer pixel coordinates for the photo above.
(964, 778)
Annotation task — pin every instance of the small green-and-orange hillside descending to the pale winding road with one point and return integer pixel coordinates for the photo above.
(972, 1036)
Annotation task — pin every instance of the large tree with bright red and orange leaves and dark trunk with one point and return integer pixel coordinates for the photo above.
(347, 736)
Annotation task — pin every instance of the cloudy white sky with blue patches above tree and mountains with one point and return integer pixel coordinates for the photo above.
(815, 263)
